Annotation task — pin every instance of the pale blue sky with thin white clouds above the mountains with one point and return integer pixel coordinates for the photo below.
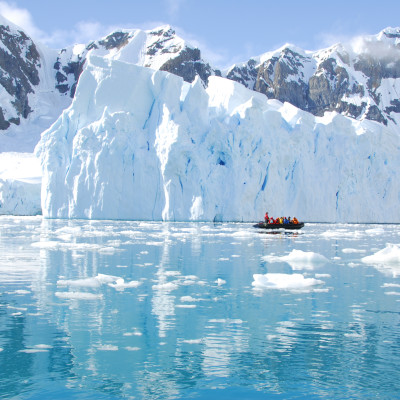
(225, 31)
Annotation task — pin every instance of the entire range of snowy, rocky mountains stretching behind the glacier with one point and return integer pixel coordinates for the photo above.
(359, 82)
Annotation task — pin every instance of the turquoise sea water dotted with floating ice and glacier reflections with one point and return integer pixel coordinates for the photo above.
(146, 310)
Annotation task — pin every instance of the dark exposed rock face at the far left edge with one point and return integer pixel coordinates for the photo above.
(19, 64)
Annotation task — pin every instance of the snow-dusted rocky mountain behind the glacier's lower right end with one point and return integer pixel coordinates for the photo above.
(358, 79)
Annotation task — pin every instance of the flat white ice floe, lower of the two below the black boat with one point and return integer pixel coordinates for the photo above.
(284, 281)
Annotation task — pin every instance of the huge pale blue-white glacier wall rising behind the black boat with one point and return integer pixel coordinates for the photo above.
(143, 144)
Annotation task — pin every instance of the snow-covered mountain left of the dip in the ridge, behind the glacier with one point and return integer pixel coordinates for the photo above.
(37, 83)
